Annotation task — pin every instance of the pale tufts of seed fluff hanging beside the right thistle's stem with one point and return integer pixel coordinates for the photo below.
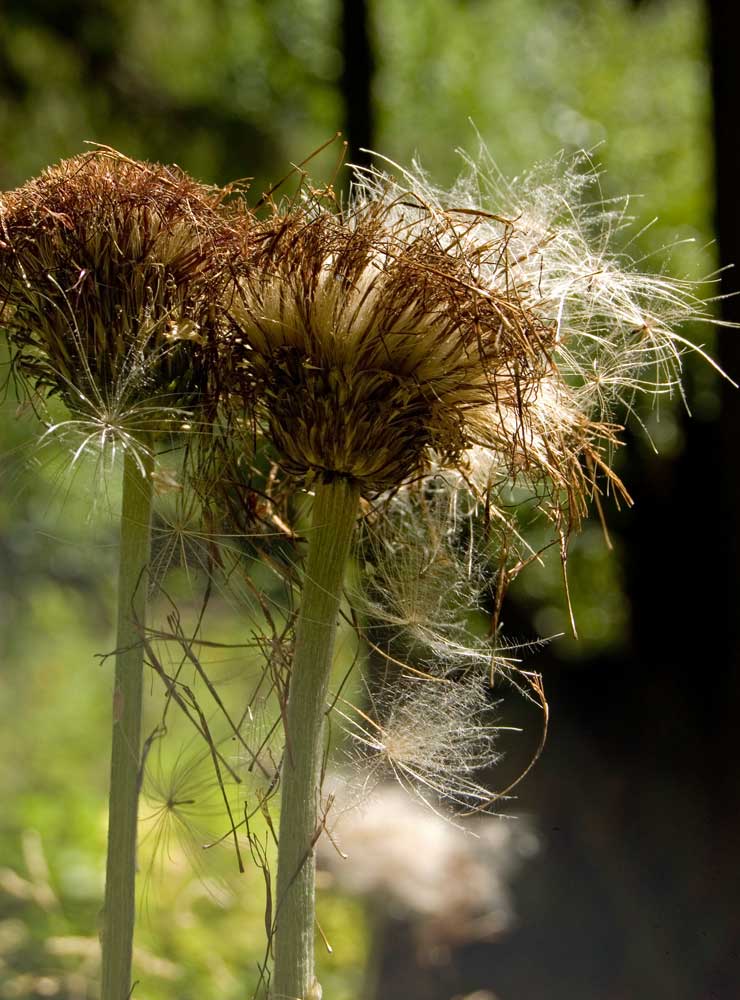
(425, 603)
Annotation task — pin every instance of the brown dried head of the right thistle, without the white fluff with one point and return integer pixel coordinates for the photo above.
(368, 345)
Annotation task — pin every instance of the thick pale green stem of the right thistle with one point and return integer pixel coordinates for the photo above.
(333, 519)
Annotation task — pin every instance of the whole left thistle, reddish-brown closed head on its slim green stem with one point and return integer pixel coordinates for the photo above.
(109, 274)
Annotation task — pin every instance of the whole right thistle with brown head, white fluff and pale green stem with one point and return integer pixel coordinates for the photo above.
(478, 339)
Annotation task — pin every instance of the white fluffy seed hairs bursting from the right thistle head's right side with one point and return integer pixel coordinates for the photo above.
(618, 332)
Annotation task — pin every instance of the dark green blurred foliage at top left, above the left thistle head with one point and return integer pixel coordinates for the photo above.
(224, 88)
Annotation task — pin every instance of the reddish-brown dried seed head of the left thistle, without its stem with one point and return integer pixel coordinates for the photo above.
(110, 275)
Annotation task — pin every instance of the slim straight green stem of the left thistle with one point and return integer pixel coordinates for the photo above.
(118, 913)
